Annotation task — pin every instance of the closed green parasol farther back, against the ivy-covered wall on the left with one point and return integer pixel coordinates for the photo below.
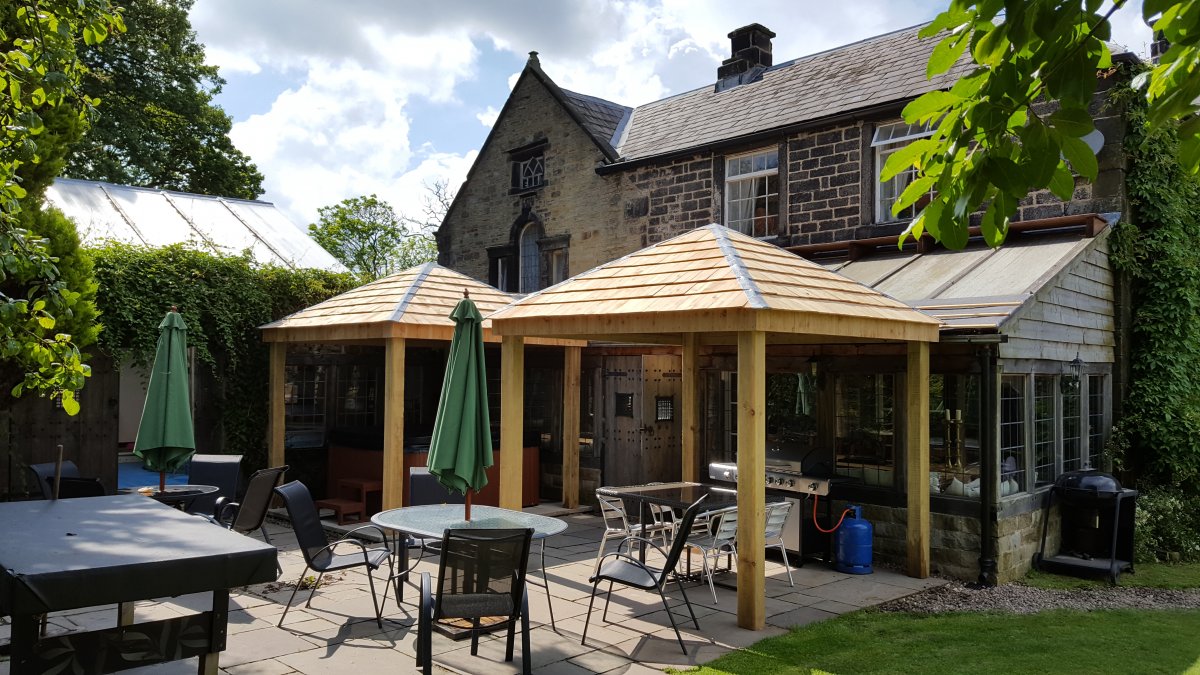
(166, 439)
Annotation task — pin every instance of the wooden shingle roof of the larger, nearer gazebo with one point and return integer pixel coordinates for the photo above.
(718, 273)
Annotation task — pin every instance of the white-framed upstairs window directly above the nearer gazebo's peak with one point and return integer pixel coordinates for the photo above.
(747, 170)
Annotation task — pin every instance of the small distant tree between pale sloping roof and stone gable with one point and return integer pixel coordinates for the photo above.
(370, 240)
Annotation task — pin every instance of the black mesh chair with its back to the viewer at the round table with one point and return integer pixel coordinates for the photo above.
(482, 575)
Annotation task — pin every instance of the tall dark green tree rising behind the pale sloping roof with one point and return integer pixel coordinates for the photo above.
(158, 127)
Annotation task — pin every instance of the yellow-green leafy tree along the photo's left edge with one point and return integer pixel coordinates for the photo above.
(39, 69)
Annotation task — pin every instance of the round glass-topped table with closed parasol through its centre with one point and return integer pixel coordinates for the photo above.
(431, 522)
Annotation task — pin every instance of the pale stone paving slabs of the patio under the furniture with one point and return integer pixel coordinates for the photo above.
(339, 635)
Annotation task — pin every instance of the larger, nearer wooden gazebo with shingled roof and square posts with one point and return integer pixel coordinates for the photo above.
(715, 286)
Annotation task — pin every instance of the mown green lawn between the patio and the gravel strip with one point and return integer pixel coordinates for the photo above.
(1051, 642)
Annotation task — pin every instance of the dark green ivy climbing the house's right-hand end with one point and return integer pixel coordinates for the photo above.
(1160, 252)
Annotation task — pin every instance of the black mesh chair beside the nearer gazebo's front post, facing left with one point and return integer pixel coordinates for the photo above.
(625, 569)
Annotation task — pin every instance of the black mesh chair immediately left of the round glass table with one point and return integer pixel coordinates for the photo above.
(321, 555)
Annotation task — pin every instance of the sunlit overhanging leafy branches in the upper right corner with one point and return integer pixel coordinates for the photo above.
(1017, 121)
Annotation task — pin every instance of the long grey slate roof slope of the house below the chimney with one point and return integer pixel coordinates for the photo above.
(886, 69)
